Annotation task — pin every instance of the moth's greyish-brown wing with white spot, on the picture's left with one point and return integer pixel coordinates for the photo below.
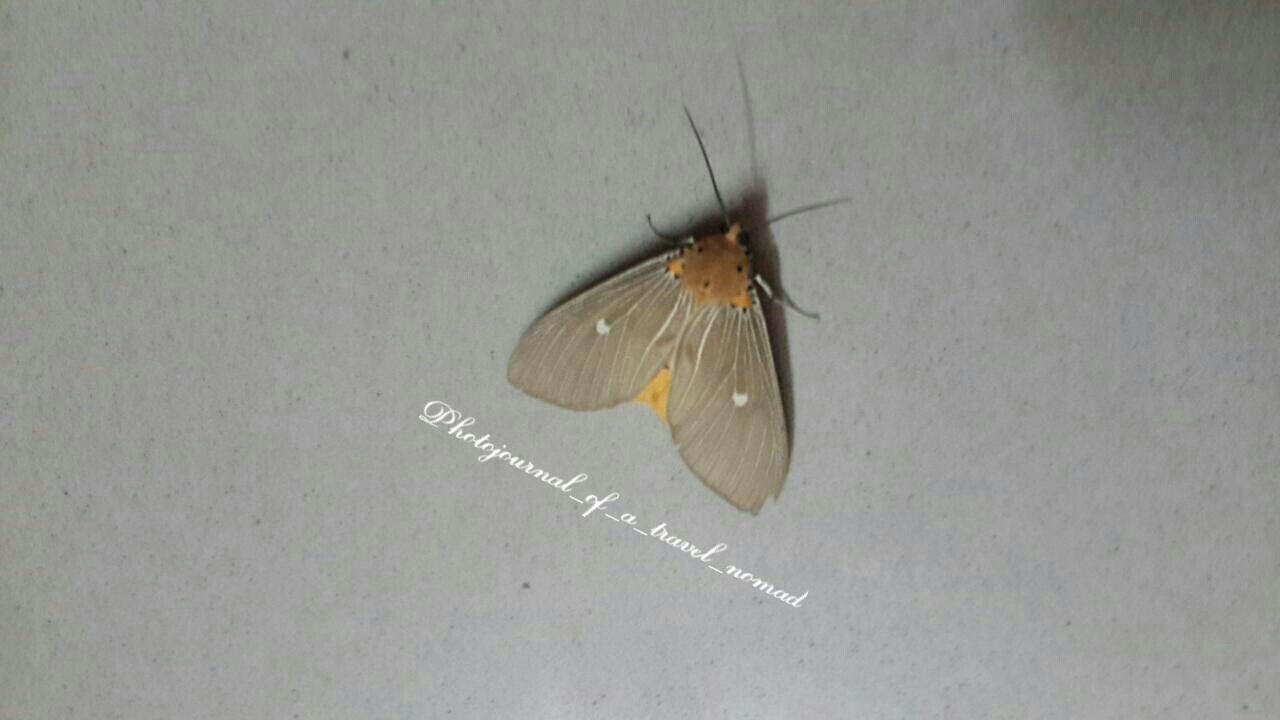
(604, 347)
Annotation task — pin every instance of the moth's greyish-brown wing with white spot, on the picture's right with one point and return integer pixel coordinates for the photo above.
(725, 407)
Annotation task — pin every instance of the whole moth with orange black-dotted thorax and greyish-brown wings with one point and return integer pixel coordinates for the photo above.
(684, 334)
